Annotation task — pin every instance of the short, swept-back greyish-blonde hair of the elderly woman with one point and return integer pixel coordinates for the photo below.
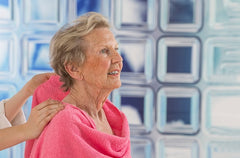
(68, 45)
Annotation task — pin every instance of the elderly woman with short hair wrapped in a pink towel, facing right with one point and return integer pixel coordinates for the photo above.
(84, 55)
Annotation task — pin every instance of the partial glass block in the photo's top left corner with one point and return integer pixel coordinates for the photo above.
(6, 11)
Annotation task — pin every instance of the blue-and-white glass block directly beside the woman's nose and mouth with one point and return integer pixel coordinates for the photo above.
(137, 57)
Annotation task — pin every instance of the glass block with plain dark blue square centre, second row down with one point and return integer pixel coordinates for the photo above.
(178, 60)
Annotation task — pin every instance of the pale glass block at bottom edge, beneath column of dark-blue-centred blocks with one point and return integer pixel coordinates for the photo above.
(177, 148)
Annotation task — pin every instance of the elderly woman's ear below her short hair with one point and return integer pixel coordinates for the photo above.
(74, 71)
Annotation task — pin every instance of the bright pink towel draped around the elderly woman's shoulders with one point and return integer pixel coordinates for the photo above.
(72, 133)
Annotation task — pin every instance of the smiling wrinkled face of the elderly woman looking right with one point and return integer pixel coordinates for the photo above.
(103, 63)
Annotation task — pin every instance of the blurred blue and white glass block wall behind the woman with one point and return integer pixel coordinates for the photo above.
(181, 74)
